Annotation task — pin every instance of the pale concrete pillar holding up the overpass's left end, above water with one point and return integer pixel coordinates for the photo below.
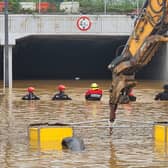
(7, 75)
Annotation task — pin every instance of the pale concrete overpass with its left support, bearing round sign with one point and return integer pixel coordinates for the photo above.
(20, 26)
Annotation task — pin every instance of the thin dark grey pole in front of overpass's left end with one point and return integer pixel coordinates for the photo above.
(6, 45)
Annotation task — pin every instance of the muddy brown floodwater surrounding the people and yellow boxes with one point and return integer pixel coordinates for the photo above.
(131, 144)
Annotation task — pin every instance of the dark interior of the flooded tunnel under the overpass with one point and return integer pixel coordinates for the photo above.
(67, 57)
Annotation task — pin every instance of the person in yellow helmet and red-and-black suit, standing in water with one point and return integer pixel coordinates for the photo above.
(94, 93)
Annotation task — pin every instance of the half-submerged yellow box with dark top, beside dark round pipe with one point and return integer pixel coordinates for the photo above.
(48, 136)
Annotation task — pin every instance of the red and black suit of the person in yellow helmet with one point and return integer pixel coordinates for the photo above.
(93, 94)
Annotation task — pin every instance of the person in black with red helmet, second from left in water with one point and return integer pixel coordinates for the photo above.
(61, 95)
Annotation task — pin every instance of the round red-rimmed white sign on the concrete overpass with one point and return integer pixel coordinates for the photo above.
(84, 23)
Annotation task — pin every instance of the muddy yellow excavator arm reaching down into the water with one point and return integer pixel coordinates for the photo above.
(150, 30)
